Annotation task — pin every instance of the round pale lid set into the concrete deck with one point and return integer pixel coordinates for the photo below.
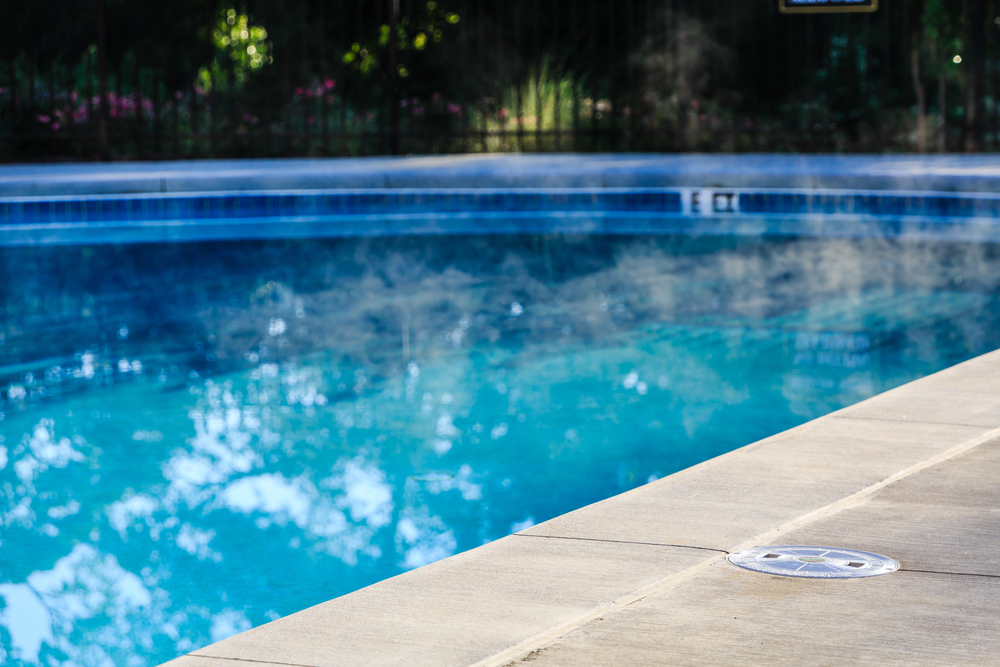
(813, 562)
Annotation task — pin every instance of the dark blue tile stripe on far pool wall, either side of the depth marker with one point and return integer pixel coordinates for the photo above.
(231, 206)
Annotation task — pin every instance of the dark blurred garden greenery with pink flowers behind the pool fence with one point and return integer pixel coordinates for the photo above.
(134, 79)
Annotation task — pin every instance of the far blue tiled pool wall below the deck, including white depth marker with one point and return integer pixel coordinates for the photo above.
(162, 217)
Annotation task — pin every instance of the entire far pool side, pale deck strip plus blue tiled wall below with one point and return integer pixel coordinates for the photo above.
(938, 197)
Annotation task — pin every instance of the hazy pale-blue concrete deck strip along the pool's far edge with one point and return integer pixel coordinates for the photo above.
(950, 173)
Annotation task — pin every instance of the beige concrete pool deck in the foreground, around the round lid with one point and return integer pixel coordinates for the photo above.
(642, 578)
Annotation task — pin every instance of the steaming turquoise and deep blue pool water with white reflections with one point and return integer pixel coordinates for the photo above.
(199, 438)
